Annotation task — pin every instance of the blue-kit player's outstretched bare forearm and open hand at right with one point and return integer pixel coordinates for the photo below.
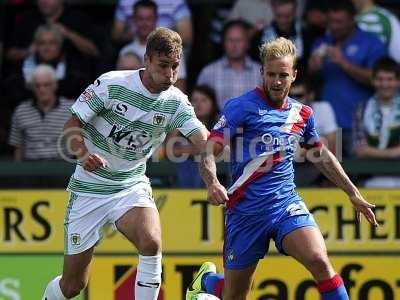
(327, 163)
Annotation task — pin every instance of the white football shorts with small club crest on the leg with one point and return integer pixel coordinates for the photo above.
(86, 216)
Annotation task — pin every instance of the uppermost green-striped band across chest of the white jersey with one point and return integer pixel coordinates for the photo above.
(144, 103)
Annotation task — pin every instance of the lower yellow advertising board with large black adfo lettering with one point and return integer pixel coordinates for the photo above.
(277, 277)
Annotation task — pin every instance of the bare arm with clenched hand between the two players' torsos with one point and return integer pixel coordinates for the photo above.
(208, 149)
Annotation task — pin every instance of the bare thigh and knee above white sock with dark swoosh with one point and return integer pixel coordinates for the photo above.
(141, 226)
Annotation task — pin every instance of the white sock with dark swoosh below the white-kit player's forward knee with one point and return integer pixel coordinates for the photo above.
(148, 277)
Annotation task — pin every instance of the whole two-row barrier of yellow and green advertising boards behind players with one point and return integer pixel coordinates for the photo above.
(31, 247)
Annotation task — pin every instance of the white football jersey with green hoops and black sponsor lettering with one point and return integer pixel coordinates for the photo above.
(125, 123)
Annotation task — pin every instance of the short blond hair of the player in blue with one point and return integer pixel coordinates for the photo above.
(278, 48)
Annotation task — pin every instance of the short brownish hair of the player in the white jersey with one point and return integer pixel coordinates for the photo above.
(164, 41)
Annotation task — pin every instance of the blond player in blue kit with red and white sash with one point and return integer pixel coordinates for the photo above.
(263, 128)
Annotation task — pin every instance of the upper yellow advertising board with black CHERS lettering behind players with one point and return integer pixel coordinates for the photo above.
(32, 221)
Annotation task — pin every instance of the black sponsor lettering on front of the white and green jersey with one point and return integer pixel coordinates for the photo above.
(135, 140)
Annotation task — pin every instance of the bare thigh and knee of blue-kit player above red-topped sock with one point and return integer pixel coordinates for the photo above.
(307, 246)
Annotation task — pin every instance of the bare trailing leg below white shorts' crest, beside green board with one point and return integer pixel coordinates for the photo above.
(76, 268)
